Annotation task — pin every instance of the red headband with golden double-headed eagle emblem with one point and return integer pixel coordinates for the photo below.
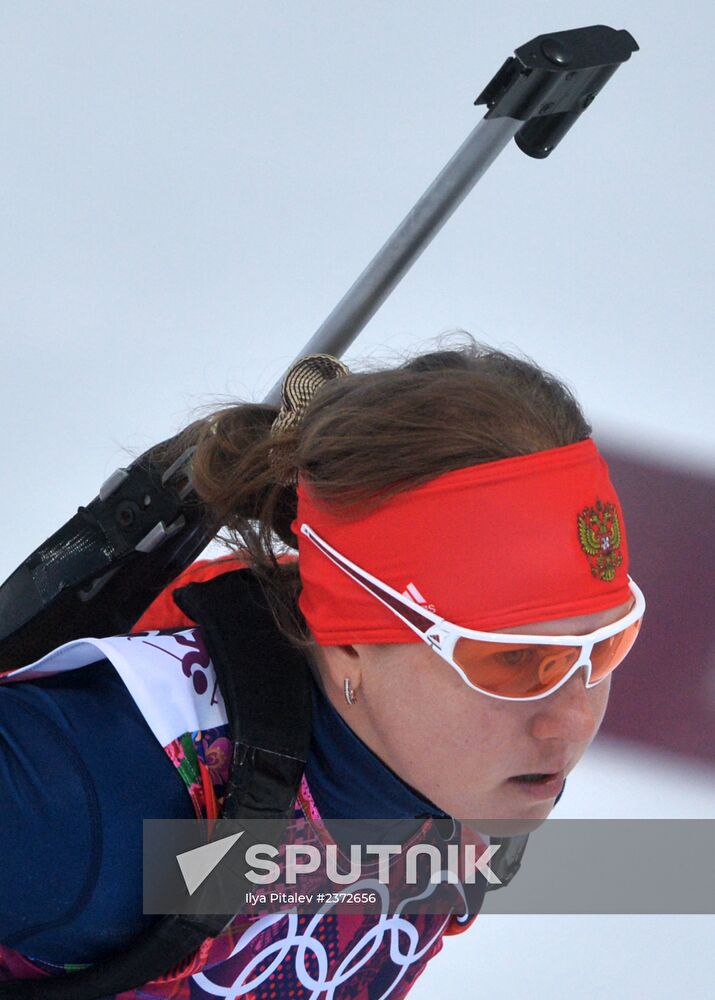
(504, 543)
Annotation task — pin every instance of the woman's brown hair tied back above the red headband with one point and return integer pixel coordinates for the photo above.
(364, 438)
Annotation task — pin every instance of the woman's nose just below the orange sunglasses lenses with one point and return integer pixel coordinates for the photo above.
(573, 713)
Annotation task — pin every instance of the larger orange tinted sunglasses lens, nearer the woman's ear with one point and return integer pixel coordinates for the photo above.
(511, 670)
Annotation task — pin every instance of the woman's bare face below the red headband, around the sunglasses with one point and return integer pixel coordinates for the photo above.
(461, 749)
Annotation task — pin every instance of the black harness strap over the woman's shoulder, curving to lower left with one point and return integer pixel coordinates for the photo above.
(265, 682)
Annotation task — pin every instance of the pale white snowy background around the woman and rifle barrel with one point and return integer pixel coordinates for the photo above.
(187, 189)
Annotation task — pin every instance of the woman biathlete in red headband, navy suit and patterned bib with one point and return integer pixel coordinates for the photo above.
(460, 595)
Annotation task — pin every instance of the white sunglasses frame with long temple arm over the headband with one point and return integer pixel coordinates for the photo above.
(442, 635)
